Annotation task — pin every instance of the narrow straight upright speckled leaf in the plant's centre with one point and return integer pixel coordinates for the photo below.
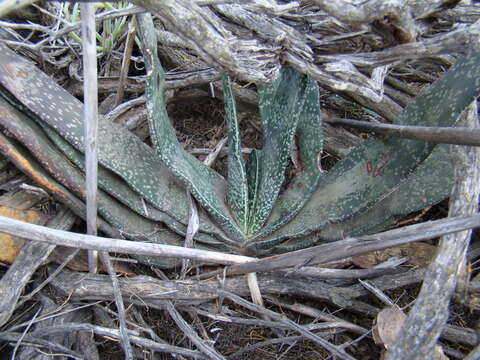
(237, 187)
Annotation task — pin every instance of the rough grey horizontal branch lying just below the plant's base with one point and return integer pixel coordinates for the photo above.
(147, 291)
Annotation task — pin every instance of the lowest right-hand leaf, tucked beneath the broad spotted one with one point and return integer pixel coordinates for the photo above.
(430, 183)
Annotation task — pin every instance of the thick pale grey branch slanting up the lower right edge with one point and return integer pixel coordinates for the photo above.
(423, 326)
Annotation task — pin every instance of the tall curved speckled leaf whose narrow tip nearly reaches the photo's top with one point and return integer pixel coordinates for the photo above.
(206, 185)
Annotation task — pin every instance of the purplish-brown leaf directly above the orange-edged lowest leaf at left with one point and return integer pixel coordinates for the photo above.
(120, 217)
